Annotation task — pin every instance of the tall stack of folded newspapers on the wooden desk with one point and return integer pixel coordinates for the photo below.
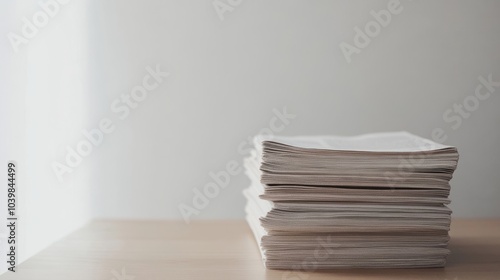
(377, 200)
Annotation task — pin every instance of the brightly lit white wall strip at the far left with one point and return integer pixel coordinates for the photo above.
(43, 106)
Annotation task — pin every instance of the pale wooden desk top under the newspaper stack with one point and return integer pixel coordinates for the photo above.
(150, 250)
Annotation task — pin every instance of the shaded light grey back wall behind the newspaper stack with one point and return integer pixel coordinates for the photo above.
(227, 76)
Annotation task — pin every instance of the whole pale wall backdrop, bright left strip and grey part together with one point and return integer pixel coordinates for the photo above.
(226, 77)
